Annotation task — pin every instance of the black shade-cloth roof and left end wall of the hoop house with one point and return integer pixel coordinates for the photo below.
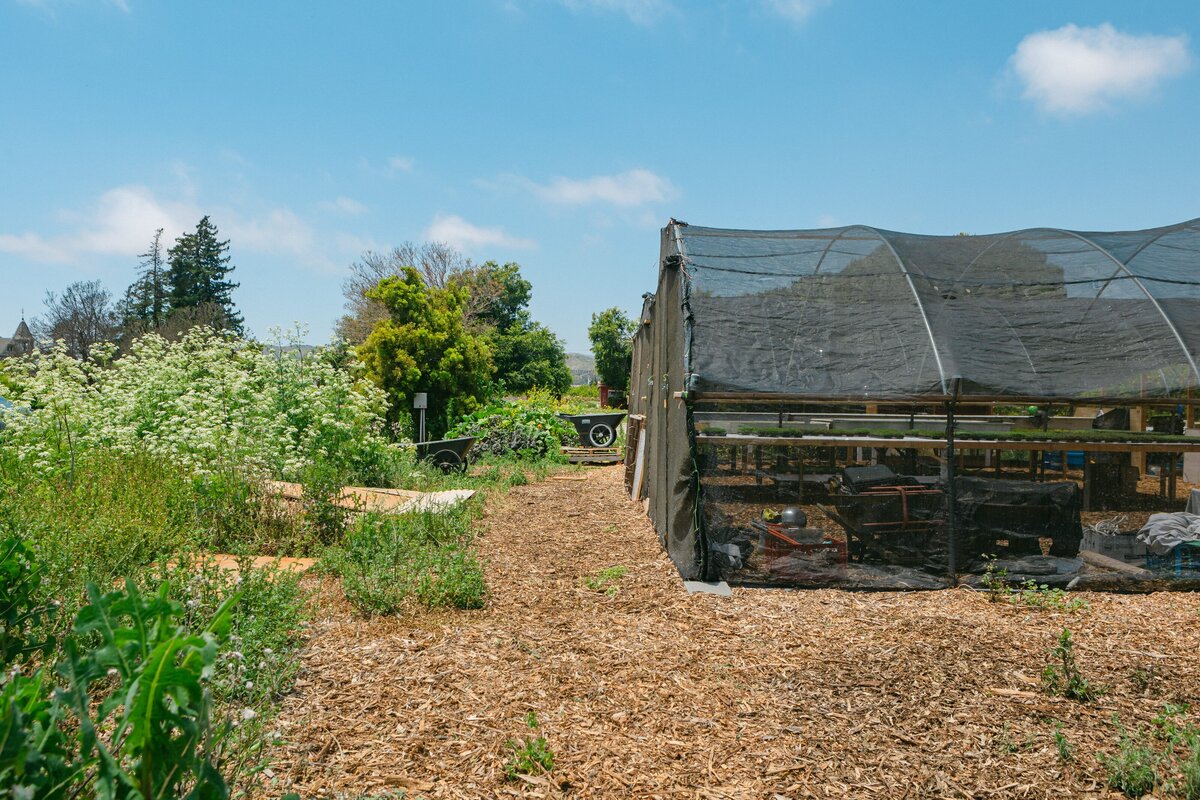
(772, 320)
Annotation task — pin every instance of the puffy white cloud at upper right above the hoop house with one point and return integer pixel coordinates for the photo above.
(1081, 70)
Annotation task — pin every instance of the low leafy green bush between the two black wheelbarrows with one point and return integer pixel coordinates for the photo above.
(527, 429)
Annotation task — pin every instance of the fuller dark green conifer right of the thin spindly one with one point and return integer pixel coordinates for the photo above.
(199, 275)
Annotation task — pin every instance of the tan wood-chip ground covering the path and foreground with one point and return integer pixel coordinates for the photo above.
(651, 693)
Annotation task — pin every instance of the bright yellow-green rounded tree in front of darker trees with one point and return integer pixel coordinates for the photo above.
(424, 347)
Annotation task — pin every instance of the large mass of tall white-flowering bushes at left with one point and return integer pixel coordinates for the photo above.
(208, 401)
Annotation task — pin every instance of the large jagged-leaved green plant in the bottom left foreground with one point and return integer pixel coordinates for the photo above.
(134, 718)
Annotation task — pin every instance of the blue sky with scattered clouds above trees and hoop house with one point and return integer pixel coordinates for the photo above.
(563, 134)
